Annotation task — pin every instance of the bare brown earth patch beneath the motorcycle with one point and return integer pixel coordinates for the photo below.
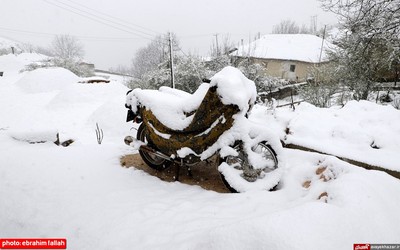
(204, 174)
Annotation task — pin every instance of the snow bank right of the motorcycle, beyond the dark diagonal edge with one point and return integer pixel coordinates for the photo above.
(361, 131)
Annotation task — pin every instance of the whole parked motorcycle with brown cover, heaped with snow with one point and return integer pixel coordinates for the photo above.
(186, 129)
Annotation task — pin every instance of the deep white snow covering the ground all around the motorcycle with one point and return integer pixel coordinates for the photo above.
(81, 192)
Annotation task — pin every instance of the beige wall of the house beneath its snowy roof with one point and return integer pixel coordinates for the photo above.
(281, 68)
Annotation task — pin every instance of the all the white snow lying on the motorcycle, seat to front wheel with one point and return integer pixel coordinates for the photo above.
(232, 87)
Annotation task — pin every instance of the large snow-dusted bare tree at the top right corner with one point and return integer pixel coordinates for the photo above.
(370, 42)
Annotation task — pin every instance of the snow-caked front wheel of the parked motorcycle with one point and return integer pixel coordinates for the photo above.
(236, 178)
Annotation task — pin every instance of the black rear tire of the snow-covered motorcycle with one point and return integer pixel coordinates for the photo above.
(151, 160)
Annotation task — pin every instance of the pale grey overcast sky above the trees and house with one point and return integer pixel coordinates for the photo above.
(112, 30)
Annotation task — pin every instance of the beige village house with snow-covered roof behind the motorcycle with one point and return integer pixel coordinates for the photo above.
(286, 56)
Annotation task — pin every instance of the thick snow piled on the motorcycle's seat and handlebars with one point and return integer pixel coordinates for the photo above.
(170, 105)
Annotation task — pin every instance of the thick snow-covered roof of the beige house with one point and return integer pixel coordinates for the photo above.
(298, 47)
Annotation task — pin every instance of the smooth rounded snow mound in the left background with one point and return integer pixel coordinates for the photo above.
(47, 80)
